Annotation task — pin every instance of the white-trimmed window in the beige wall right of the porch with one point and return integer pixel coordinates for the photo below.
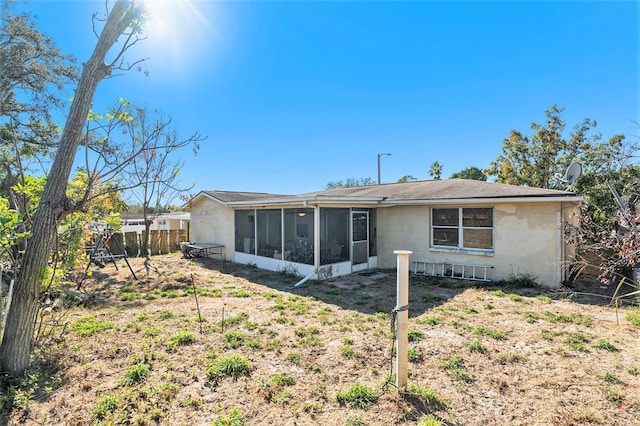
(462, 228)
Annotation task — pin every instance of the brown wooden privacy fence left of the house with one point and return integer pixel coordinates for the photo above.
(160, 242)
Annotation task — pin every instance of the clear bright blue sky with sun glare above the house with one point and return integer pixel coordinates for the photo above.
(294, 94)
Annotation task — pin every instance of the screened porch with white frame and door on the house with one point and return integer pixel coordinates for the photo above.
(306, 238)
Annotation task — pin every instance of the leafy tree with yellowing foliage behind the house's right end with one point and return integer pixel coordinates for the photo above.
(538, 160)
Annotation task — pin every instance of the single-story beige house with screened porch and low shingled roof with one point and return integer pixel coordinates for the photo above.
(503, 230)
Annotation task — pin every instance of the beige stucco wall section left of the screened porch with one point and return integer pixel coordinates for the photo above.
(211, 222)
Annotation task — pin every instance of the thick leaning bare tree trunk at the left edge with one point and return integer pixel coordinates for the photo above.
(15, 350)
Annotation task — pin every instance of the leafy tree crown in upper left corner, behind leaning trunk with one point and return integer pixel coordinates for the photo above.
(32, 78)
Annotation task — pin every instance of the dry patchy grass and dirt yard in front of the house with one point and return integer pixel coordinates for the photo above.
(485, 355)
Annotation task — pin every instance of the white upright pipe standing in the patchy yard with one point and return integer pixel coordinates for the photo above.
(402, 317)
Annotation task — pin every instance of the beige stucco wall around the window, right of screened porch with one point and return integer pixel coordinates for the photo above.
(527, 240)
